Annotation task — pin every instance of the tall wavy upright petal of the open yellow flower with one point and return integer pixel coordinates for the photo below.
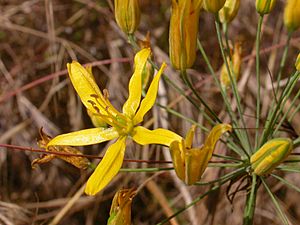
(135, 84)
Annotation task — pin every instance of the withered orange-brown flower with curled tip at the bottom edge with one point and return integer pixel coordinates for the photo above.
(120, 211)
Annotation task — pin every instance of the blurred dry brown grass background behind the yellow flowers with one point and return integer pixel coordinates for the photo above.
(38, 38)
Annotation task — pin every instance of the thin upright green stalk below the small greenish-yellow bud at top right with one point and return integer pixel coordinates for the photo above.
(258, 34)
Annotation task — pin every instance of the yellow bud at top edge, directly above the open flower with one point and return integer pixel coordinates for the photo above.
(127, 13)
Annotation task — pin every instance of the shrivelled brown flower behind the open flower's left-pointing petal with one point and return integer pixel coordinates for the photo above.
(78, 161)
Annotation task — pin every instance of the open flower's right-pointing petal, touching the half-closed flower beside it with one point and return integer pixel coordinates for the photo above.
(143, 136)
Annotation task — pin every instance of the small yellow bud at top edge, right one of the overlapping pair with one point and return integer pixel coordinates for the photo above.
(229, 11)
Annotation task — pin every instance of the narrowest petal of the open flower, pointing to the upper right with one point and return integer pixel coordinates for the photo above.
(150, 97)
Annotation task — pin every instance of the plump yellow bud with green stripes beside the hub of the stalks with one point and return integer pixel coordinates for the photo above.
(270, 155)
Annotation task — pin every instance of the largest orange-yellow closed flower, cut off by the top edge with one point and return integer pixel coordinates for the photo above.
(183, 32)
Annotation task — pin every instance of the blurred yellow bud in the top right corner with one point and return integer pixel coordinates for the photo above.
(292, 15)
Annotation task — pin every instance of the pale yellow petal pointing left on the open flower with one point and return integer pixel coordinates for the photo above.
(85, 137)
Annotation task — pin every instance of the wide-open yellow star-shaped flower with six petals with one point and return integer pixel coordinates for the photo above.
(121, 124)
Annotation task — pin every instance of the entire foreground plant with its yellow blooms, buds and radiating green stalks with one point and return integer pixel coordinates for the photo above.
(252, 156)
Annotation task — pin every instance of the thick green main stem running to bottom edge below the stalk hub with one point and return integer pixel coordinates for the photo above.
(250, 203)
